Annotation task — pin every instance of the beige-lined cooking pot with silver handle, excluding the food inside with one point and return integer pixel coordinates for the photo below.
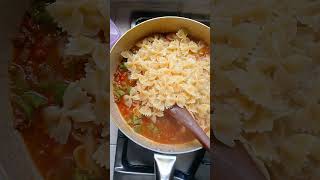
(164, 153)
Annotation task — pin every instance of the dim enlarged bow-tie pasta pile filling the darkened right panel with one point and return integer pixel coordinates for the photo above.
(267, 78)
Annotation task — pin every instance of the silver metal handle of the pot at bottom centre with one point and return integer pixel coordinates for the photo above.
(164, 166)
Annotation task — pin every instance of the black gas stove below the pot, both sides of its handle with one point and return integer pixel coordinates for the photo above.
(136, 163)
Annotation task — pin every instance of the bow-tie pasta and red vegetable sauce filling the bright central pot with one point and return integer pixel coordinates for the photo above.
(160, 71)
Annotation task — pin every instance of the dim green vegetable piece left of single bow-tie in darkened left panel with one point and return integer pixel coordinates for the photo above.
(34, 99)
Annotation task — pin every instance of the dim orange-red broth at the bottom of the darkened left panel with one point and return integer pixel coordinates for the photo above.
(49, 156)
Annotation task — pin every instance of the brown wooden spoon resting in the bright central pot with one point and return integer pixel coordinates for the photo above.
(183, 116)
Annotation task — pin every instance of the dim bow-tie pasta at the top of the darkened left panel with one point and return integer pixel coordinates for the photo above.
(85, 17)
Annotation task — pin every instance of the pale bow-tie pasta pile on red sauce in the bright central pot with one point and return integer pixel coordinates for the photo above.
(170, 72)
